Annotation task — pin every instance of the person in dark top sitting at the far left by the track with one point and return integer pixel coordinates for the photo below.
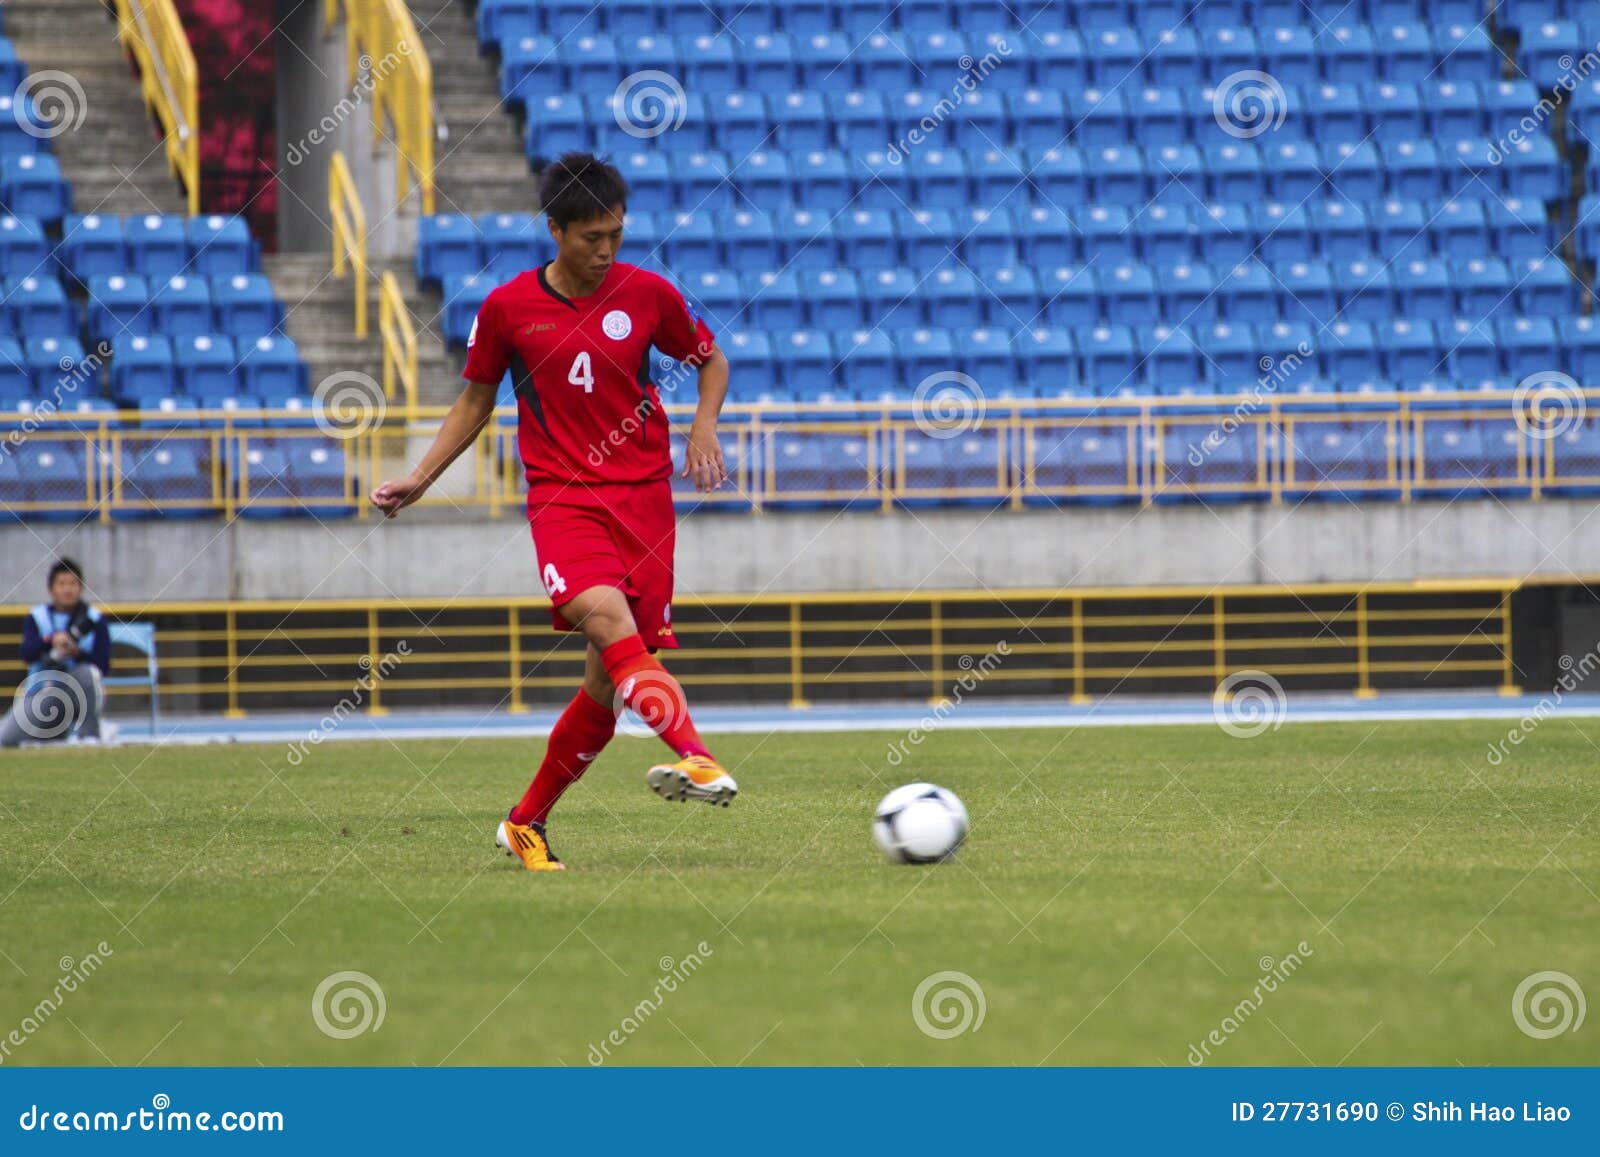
(66, 646)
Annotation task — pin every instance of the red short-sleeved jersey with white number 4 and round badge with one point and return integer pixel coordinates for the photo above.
(586, 407)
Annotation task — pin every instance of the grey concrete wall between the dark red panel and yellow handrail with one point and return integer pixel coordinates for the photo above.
(324, 110)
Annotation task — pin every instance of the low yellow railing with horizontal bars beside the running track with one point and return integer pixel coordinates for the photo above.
(796, 649)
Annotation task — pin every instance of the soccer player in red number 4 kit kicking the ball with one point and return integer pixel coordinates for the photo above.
(577, 337)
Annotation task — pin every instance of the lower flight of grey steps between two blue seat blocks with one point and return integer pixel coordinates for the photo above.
(321, 318)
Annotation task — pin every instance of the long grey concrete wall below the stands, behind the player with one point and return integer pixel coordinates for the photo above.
(433, 556)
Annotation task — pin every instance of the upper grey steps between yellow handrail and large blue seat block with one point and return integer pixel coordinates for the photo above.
(481, 162)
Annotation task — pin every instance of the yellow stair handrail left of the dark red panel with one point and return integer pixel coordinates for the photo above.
(170, 82)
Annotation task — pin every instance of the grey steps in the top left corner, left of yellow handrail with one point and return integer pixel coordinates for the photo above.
(114, 158)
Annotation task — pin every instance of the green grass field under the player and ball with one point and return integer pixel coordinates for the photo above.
(1114, 902)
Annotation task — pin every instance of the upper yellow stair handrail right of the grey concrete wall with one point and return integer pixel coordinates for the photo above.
(383, 44)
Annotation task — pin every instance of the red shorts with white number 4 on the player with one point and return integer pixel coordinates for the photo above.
(618, 535)
